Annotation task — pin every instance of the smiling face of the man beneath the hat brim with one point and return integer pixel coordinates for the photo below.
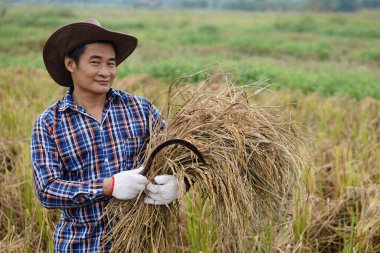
(96, 69)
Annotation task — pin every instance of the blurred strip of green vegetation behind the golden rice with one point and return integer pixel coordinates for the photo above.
(326, 53)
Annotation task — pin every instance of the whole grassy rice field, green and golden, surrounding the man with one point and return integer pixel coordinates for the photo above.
(325, 68)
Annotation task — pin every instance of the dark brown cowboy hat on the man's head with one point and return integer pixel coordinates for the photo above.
(73, 35)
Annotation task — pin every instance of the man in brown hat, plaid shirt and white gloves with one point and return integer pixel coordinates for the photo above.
(85, 146)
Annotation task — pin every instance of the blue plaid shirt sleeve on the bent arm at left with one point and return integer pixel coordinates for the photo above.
(52, 191)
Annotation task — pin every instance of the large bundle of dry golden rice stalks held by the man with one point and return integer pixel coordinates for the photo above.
(251, 164)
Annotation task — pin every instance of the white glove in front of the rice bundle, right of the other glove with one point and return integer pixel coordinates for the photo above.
(164, 192)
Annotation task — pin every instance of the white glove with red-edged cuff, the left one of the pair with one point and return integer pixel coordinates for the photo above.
(128, 184)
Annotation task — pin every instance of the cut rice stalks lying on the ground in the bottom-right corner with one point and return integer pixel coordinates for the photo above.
(349, 222)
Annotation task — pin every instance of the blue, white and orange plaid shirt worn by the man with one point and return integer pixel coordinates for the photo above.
(72, 153)
